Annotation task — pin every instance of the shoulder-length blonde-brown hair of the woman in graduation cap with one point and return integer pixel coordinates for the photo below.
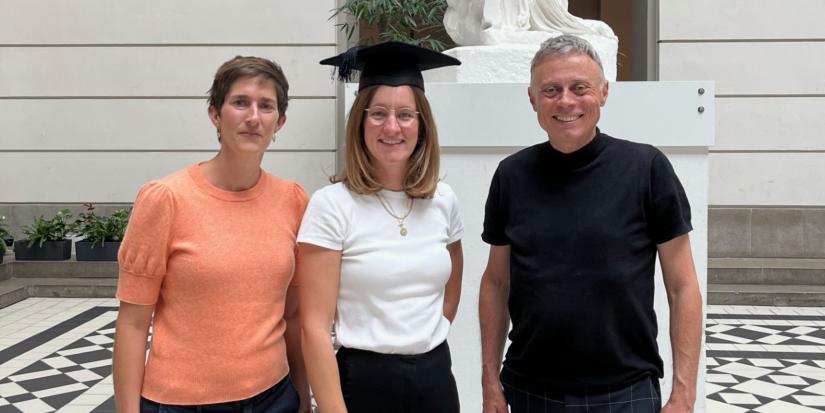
(422, 174)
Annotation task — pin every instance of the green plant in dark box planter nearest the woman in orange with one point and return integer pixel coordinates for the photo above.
(101, 234)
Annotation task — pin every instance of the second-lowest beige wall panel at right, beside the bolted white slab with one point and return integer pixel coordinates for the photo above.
(770, 123)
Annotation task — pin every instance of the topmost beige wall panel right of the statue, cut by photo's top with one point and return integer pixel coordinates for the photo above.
(741, 19)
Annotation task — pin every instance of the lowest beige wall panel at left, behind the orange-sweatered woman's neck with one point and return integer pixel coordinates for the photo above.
(115, 177)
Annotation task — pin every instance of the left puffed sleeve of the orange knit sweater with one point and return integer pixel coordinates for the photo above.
(145, 247)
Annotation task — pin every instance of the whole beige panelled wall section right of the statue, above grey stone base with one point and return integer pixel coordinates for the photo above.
(767, 60)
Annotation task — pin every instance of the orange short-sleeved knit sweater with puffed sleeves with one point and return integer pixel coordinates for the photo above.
(216, 265)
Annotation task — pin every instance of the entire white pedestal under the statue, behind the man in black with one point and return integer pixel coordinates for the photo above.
(481, 124)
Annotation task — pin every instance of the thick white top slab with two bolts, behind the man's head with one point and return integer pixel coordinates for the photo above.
(493, 115)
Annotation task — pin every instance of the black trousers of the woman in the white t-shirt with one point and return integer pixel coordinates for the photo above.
(381, 383)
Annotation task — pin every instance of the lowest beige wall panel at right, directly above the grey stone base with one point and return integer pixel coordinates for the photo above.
(796, 179)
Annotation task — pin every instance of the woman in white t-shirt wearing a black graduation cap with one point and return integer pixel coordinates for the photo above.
(380, 259)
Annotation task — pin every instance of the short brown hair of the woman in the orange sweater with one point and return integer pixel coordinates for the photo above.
(248, 66)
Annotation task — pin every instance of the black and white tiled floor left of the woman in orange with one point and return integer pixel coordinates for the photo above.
(55, 355)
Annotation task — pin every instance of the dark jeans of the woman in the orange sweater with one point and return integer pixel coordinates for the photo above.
(280, 398)
